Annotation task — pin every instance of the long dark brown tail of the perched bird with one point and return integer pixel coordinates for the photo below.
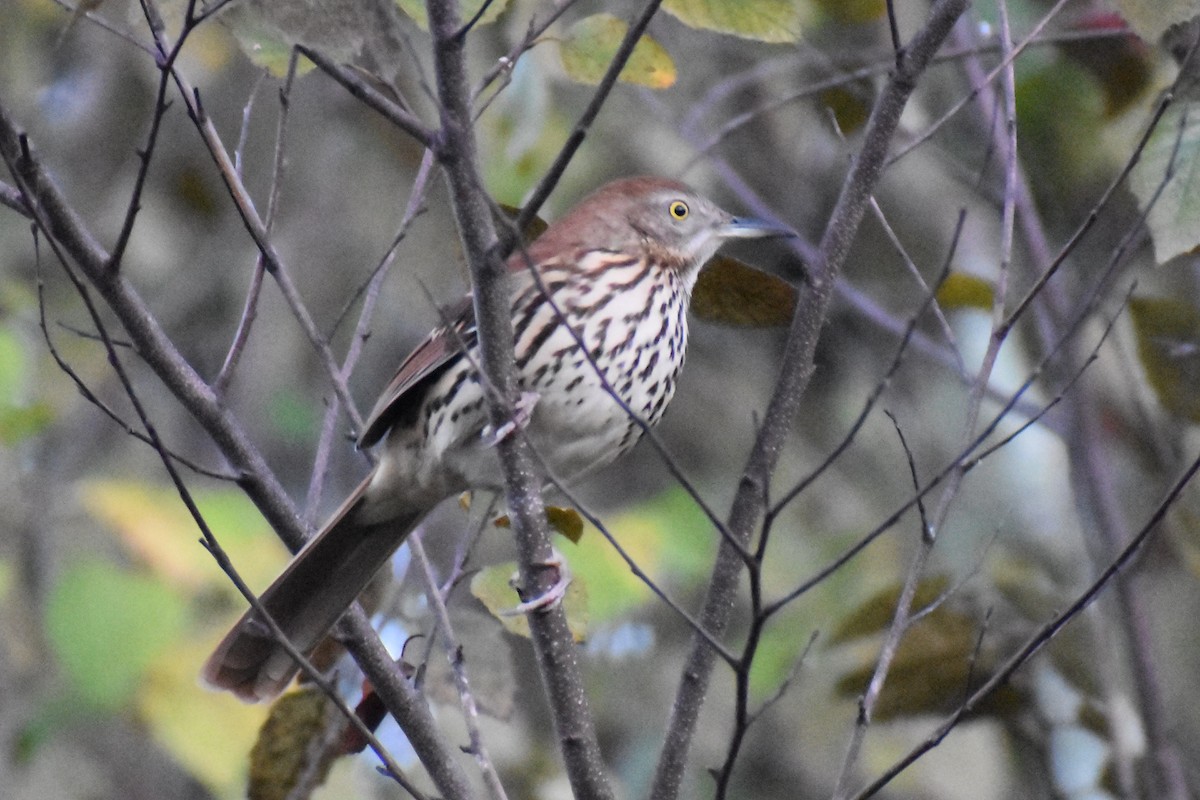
(307, 600)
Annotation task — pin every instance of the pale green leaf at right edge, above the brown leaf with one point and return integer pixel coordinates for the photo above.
(1173, 220)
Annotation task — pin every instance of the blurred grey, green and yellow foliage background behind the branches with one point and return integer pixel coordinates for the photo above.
(110, 605)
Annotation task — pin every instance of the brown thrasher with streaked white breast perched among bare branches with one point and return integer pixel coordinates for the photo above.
(619, 269)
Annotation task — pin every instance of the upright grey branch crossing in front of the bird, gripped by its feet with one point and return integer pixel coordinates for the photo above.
(554, 646)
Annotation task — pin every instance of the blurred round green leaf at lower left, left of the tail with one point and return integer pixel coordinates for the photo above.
(106, 627)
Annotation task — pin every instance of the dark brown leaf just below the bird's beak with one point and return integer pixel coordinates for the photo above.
(734, 293)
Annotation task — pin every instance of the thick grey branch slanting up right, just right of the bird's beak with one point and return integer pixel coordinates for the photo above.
(797, 369)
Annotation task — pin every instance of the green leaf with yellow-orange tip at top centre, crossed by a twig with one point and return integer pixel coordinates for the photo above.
(591, 44)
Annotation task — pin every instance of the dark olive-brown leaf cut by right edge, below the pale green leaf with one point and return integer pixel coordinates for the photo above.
(1168, 334)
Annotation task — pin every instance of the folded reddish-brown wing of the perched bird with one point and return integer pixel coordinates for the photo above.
(419, 371)
